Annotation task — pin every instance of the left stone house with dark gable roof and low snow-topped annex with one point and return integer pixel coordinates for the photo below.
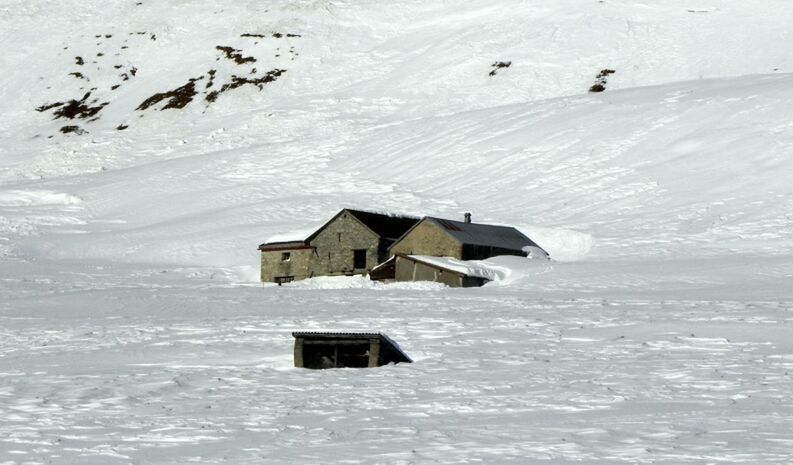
(352, 242)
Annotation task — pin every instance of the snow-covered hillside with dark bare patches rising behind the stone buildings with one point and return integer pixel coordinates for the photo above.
(386, 106)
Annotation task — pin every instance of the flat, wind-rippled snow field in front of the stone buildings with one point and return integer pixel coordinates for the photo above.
(101, 368)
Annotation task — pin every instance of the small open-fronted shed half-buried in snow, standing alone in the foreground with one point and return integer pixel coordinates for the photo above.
(318, 350)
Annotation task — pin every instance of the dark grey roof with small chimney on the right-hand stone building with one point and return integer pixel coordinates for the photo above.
(489, 235)
